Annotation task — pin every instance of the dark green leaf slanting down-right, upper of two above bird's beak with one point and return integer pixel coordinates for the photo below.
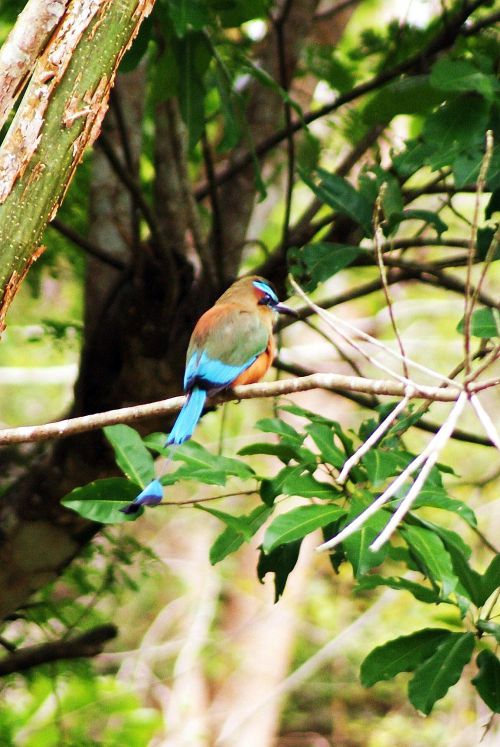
(339, 194)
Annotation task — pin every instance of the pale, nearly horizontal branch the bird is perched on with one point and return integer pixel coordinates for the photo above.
(329, 381)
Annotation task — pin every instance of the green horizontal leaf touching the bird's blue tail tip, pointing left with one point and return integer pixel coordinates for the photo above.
(102, 500)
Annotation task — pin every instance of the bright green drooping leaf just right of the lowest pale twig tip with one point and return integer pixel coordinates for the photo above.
(431, 552)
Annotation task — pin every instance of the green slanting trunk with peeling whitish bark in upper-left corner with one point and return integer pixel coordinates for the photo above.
(60, 114)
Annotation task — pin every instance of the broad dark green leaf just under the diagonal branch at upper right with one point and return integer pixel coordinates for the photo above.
(411, 95)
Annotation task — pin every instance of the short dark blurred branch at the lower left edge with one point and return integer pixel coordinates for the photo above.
(83, 646)
